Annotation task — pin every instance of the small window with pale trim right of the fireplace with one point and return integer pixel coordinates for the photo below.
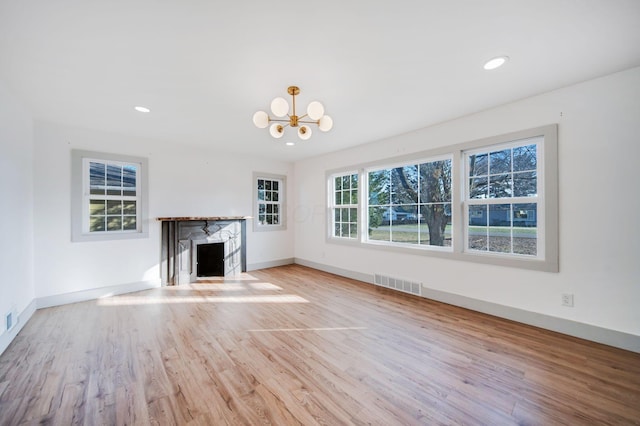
(269, 210)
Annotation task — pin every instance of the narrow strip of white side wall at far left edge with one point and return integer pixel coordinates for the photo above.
(16, 205)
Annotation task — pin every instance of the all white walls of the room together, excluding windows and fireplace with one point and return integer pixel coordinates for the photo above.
(599, 231)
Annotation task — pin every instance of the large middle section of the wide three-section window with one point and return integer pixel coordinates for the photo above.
(411, 204)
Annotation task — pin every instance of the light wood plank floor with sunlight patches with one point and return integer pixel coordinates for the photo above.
(292, 345)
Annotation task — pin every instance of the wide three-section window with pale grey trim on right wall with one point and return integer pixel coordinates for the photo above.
(491, 201)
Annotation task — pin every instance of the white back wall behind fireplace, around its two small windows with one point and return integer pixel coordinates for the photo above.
(183, 181)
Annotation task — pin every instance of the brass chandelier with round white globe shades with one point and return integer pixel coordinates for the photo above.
(280, 108)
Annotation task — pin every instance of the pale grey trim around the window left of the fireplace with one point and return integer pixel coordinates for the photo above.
(79, 229)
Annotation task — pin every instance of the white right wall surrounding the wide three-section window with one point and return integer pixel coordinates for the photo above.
(599, 159)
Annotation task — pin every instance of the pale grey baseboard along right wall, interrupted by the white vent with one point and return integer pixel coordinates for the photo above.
(618, 339)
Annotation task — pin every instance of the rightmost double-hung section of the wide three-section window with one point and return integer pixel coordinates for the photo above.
(501, 199)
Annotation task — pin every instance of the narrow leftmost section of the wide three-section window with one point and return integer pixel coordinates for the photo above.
(345, 205)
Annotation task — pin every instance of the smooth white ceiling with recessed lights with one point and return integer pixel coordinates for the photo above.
(381, 68)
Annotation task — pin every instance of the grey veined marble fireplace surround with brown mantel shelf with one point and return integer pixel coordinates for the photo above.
(182, 235)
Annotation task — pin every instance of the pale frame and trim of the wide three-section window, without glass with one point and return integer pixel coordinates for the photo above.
(547, 203)
